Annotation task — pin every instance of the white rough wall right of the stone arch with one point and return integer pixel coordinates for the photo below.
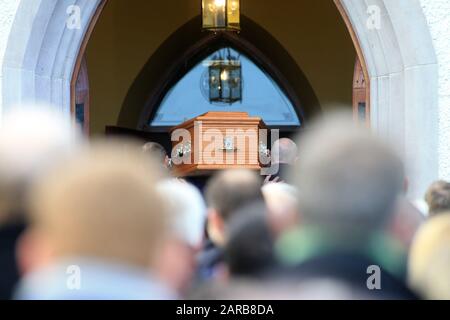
(437, 13)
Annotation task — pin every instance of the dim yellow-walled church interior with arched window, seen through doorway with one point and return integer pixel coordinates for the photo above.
(312, 70)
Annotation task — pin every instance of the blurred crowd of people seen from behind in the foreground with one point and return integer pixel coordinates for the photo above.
(104, 219)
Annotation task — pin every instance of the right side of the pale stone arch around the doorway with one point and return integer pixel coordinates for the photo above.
(402, 70)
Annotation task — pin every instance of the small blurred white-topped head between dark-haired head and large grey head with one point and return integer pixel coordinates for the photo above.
(282, 203)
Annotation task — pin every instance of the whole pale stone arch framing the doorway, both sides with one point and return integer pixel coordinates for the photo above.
(42, 54)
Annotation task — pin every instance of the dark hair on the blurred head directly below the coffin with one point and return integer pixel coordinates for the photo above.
(230, 190)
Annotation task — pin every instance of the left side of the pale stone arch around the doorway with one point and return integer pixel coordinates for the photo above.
(42, 52)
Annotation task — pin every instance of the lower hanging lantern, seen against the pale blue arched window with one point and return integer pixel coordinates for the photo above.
(225, 80)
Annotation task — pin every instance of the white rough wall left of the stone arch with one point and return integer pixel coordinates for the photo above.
(8, 9)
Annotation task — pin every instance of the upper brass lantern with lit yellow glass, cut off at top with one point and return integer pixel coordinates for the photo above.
(221, 15)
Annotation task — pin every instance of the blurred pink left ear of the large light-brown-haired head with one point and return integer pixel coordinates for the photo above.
(32, 252)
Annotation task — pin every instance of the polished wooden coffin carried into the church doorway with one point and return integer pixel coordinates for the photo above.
(217, 141)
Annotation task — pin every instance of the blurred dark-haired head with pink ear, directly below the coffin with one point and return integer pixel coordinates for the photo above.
(225, 194)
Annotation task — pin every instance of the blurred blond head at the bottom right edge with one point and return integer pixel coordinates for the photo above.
(429, 260)
